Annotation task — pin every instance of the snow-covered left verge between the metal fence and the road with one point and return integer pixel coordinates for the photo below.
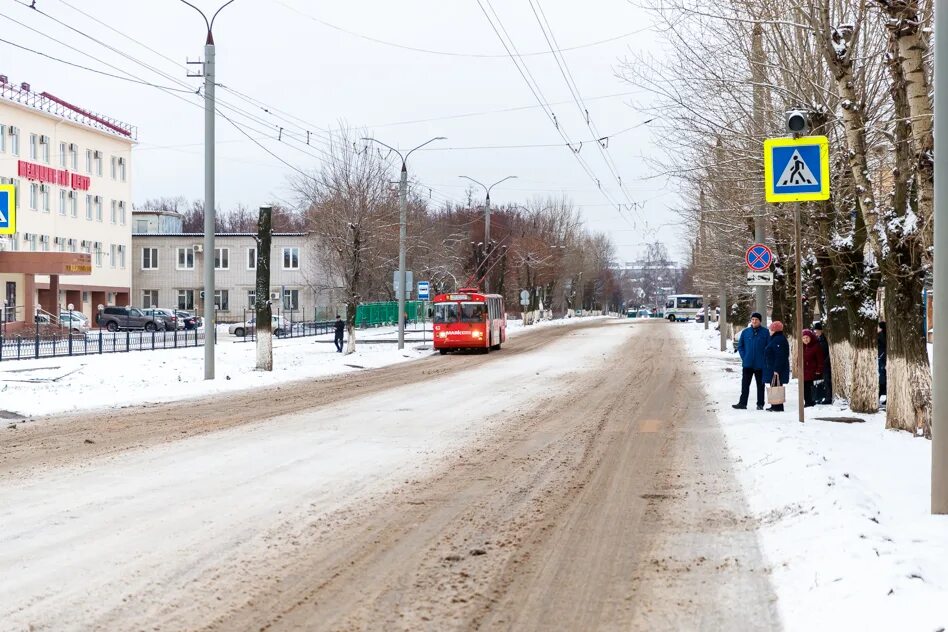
(57, 385)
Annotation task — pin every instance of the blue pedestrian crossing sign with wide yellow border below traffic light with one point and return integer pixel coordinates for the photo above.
(796, 169)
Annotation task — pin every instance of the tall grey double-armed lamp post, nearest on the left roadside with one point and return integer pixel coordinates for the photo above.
(210, 315)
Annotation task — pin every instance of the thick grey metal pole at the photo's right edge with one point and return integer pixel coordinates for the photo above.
(940, 354)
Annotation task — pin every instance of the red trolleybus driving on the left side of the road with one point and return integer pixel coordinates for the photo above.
(467, 319)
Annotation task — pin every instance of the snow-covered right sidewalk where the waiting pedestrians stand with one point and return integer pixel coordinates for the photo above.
(844, 509)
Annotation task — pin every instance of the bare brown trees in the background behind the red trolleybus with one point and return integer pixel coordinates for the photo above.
(350, 208)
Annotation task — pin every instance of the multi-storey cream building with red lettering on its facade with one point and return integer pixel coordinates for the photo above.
(72, 175)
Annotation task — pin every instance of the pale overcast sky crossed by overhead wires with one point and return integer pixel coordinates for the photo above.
(283, 55)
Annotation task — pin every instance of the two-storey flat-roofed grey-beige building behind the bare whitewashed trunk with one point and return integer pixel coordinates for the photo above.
(168, 272)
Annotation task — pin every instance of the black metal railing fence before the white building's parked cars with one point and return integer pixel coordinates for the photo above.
(96, 342)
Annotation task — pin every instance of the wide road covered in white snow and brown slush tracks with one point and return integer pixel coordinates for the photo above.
(574, 480)
